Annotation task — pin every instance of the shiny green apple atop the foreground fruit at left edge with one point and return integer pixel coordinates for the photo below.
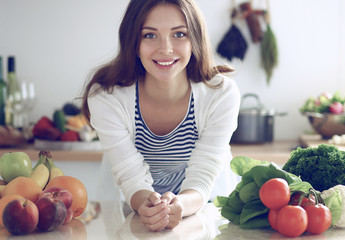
(15, 164)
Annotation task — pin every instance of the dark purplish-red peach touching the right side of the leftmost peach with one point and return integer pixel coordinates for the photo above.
(52, 213)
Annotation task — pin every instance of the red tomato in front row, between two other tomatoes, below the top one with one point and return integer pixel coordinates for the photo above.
(292, 221)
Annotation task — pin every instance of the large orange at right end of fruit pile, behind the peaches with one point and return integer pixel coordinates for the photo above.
(76, 188)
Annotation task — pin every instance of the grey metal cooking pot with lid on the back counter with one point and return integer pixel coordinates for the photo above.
(255, 124)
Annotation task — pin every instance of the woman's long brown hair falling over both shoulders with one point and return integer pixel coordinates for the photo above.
(126, 68)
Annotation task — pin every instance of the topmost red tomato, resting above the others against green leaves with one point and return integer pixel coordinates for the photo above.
(275, 193)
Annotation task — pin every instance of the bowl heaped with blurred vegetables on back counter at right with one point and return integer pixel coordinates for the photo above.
(326, 114)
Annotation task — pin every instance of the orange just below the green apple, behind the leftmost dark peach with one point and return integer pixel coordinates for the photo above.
(23, 186)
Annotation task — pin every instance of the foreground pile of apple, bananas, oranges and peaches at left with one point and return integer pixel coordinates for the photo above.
(41, 198)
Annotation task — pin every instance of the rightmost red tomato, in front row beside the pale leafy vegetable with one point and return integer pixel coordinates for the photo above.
(319, 218)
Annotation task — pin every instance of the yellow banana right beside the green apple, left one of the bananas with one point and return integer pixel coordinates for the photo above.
(40, 172)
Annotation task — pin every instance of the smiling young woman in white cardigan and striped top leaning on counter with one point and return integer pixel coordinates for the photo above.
(164, 113)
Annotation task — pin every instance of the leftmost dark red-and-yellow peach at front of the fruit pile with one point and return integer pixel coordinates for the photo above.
(20, 216)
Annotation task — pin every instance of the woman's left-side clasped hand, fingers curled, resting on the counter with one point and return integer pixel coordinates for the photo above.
(154, 212)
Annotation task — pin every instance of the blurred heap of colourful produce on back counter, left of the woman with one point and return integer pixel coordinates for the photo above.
(66, 124)
